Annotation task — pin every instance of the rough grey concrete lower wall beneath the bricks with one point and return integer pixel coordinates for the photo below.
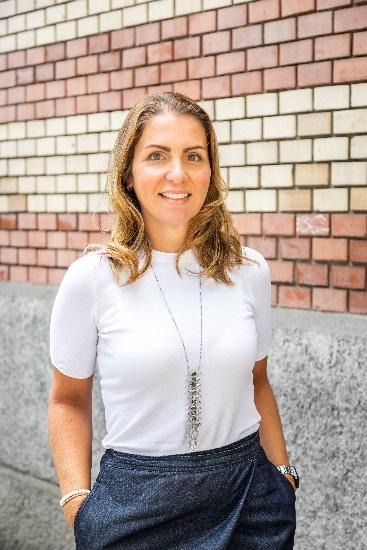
(317, 367)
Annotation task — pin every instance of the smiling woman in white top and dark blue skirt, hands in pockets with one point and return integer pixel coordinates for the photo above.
(181, 348)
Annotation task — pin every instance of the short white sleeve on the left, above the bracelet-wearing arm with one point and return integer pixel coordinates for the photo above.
(73, 331)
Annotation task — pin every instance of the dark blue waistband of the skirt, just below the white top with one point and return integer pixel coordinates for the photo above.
(245, 449)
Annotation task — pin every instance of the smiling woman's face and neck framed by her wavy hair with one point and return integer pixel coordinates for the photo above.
(171, 156)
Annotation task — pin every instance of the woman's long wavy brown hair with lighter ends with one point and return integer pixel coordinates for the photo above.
(210, 233)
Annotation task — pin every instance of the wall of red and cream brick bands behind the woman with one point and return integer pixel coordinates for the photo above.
(285, 82)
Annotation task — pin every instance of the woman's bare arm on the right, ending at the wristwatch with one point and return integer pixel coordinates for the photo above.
(271, 431)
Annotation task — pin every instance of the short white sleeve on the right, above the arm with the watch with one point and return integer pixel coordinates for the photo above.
(261, 285)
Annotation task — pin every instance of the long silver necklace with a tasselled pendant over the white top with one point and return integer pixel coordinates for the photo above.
(192, 380)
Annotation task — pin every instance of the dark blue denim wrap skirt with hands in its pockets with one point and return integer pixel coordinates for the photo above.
(230, 497)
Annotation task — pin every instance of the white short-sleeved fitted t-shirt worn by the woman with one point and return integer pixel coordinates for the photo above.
(128, 334)
